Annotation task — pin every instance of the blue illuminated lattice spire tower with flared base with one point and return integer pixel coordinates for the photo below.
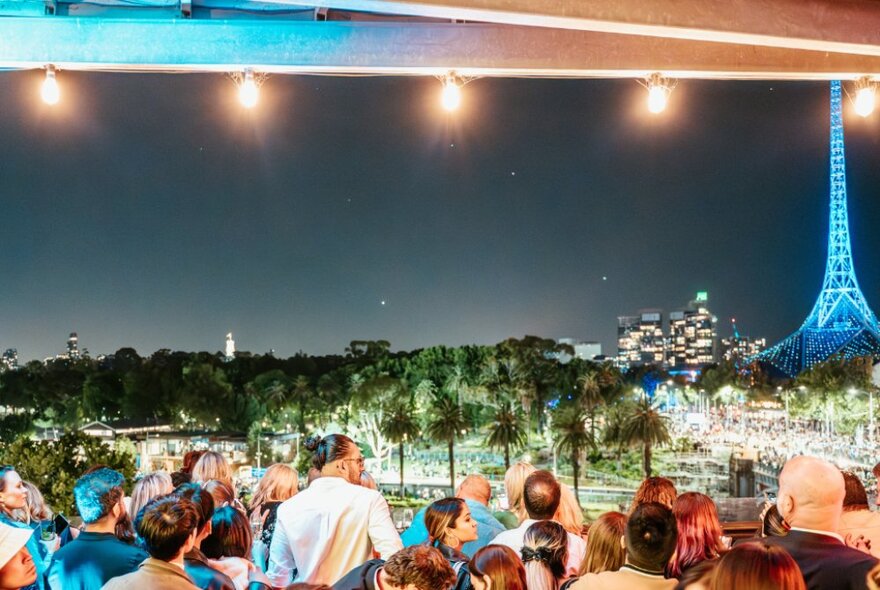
(841, 322)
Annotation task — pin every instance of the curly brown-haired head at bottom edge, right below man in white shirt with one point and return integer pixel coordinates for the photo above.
(419, 567)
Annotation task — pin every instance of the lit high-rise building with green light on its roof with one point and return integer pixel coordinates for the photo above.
(692, 335)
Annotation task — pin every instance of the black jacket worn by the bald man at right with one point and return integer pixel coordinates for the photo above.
(827, 564)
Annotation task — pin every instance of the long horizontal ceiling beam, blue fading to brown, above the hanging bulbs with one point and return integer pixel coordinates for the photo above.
(396, 49)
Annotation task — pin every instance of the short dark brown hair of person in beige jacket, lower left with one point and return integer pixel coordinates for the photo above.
(165, 524)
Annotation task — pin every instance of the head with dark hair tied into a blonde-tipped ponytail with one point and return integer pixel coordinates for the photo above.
(544, 552)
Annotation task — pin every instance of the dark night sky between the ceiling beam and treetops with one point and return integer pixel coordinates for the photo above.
(153, 211)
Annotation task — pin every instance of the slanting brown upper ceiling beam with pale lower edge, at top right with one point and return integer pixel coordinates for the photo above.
(845, 26)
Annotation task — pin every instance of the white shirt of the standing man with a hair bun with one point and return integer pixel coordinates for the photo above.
(327, 530)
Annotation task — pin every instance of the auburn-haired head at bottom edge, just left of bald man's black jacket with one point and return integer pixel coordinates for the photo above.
(757, 565)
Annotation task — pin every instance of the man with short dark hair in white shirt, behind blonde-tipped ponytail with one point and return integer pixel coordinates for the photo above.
(541, 497)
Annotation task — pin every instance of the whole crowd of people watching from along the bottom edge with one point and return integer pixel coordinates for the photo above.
(189, 530)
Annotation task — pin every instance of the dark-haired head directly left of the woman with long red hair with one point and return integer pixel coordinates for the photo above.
(650, 536)
